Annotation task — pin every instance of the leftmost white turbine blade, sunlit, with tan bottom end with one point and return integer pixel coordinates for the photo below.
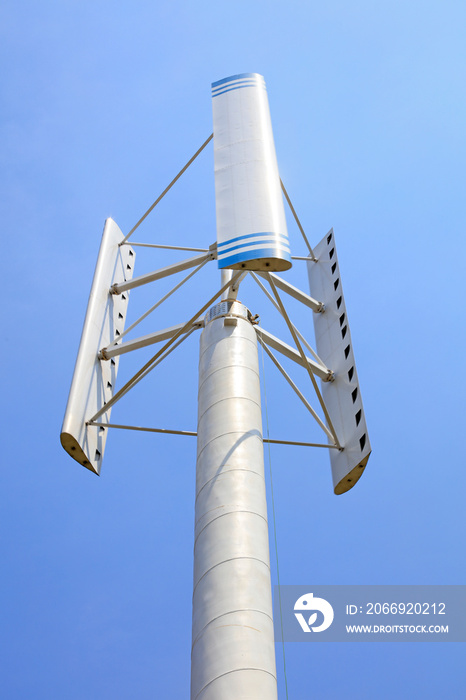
(93, 380)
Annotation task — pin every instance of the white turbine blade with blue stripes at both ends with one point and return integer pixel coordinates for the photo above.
(251, 226)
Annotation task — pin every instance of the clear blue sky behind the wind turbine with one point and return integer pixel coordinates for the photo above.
(102, 103)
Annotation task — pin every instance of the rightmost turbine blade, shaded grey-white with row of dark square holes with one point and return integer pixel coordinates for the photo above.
(333, 341)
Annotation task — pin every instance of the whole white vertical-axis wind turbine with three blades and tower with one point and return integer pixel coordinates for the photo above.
(232, 631)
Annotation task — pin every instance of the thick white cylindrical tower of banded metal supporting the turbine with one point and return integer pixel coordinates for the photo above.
(233, 655)
